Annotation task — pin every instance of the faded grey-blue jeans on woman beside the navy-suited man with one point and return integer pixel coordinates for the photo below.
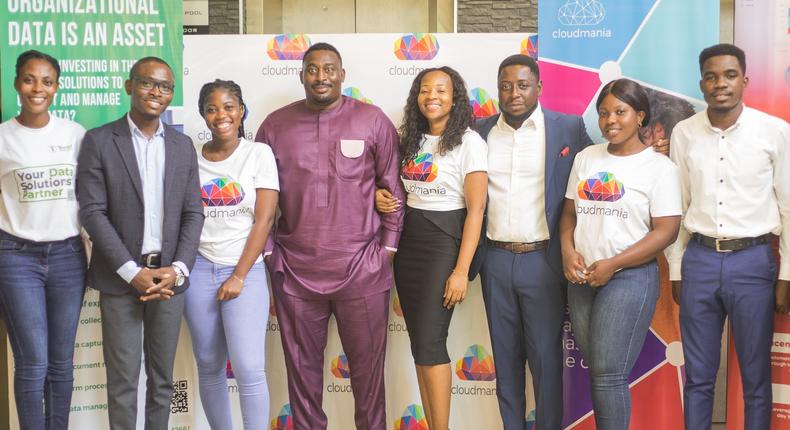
(610, 324)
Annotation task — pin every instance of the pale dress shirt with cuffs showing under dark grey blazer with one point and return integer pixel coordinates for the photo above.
(150, 155)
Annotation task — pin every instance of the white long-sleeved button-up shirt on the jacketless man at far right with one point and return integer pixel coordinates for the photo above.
(735, 182)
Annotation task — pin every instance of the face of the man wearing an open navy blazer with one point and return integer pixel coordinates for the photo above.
(519, 90)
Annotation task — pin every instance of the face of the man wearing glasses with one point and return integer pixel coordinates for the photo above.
(145, 88)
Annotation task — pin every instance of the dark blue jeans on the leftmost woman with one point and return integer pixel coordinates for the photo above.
(41, 289)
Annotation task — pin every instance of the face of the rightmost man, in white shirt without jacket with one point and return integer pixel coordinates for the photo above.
(723, 83)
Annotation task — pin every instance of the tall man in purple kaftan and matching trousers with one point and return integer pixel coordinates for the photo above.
(331, 250)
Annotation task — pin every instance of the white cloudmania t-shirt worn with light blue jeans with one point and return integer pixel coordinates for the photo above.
(228, 189)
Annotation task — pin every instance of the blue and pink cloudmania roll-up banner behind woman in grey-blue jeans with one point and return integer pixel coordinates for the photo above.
(584, 44)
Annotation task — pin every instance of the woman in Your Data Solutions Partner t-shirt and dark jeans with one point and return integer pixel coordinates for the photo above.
(42, 259)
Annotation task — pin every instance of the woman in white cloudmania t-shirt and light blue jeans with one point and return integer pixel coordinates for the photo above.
(227, 303)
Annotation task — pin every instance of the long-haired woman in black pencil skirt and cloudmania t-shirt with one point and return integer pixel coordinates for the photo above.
(444, 173)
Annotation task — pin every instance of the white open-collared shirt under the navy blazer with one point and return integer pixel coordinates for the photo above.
(516, 177)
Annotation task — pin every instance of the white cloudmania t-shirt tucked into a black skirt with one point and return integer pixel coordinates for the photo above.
(436, 182)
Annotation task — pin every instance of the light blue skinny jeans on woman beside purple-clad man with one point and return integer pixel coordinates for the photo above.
(231, 328)
